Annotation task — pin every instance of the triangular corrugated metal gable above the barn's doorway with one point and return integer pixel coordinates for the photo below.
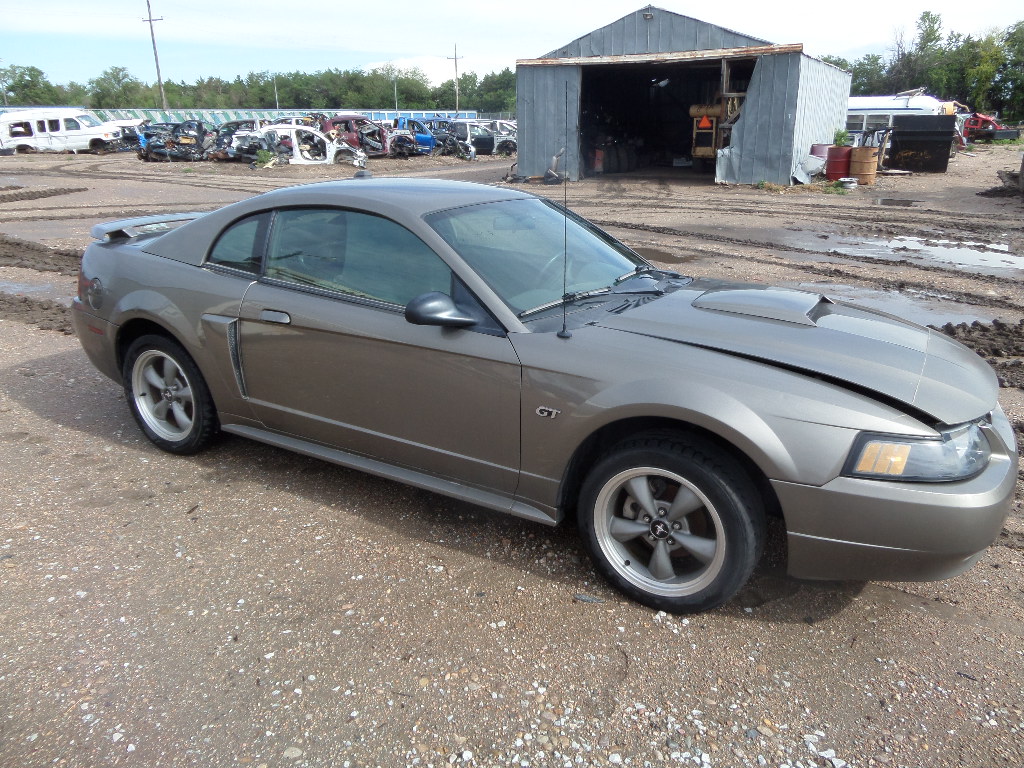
(663, 33)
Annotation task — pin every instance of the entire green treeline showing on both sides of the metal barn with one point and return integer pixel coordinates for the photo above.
(986, 73)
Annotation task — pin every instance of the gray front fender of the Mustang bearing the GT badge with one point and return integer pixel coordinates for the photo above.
(794, 428)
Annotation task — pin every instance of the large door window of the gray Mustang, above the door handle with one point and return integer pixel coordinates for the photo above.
(354, 253)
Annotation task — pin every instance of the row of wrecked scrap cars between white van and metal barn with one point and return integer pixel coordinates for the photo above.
(315, 139)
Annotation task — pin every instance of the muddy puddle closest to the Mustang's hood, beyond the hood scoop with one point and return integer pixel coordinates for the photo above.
(917, 307)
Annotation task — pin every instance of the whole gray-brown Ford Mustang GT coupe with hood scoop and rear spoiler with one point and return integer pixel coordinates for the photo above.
(488, 345)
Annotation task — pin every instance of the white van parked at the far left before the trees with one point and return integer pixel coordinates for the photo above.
(56, 130)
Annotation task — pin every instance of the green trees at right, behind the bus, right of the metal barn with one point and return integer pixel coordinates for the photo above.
(986, 73)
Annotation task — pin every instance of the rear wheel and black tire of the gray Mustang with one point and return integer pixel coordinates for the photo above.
(168, 396)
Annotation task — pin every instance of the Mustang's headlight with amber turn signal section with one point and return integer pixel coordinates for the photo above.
(958, 454)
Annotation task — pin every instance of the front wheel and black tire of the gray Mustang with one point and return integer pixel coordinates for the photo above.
(674, 523)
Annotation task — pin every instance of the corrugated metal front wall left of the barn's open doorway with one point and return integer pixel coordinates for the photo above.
(544, 126)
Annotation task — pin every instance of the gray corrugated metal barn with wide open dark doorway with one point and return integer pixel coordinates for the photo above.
(661, 89)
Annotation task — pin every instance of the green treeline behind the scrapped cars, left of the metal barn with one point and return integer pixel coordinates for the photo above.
(117, 89)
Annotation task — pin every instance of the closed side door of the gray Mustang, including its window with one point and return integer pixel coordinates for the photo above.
(328, 356)
